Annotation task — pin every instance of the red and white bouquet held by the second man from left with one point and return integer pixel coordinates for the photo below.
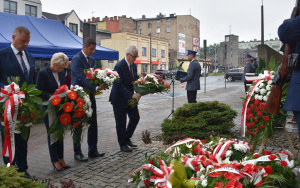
(99, 76)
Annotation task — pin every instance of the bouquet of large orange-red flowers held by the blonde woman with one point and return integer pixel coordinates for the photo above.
(68, 110)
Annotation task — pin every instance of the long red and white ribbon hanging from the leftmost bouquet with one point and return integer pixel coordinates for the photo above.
(12, 96)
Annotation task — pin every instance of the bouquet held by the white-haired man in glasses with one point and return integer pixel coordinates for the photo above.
(150, 83)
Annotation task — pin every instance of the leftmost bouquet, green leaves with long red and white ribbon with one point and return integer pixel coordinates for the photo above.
(19, 109)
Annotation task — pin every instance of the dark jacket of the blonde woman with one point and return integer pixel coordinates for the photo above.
(47, 83)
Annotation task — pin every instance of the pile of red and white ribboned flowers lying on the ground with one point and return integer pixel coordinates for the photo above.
(219, 163)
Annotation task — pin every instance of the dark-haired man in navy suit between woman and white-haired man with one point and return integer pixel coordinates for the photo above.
(81, 61)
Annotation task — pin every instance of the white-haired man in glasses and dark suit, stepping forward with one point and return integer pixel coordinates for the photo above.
(121, 92)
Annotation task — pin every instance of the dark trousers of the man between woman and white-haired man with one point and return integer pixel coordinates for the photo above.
(92, 136)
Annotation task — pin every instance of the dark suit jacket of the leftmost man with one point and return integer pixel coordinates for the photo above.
(9, 66)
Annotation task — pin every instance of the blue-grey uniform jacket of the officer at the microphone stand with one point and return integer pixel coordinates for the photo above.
(193, 76)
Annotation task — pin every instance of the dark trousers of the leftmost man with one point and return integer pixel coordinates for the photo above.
(20, 159)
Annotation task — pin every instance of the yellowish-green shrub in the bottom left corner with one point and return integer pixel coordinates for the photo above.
(10, 177)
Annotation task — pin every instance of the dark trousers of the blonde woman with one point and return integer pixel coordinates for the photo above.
(56, 150)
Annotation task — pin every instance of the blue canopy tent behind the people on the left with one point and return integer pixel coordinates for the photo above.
(47, 37)
